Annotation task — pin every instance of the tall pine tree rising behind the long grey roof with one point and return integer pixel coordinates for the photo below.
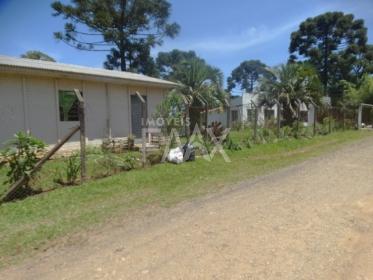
(128, 29)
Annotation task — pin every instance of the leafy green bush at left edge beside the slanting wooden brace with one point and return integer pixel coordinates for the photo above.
(21, 156)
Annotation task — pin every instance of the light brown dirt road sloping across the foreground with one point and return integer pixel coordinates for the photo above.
(310, 221)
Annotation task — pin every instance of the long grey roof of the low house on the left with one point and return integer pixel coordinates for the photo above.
(52, 68)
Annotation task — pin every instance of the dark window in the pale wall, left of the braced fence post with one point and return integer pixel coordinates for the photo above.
(68, 106)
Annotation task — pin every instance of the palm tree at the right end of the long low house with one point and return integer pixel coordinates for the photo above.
(201, 85)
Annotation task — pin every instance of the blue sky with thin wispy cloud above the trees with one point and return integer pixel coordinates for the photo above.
(223, 32)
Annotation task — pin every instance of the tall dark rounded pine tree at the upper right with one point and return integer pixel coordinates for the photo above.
(334, 43)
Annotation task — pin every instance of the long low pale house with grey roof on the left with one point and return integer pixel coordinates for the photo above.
(37, 97)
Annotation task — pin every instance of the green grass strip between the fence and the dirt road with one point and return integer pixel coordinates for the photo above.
(33, 222)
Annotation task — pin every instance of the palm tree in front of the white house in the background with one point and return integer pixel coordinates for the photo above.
(294, 84)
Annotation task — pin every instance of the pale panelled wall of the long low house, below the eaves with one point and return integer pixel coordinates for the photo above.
(31, 104)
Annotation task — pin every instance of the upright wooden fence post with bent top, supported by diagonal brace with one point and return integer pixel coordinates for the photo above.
(83, 158)
